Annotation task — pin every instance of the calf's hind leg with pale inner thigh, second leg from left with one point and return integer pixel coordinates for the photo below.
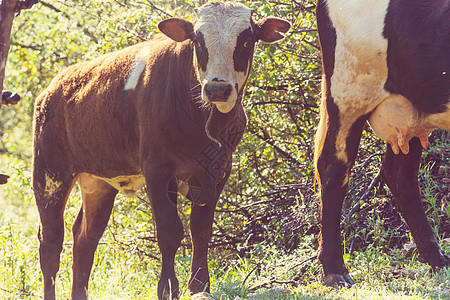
(98, 200)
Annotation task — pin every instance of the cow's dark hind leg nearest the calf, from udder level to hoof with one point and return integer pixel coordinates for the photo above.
(337, 141)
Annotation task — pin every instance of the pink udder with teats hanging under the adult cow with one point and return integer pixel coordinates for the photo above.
(397, 121)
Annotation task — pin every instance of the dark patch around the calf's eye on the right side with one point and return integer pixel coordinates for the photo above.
(244, 49)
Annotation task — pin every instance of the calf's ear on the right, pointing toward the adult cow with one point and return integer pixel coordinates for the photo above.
(271, 29)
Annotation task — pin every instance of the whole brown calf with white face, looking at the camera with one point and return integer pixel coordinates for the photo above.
(168, 113)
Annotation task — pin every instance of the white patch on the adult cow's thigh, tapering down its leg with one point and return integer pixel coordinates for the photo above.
(360, 68)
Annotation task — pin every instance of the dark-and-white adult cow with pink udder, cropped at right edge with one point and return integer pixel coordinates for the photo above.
(386, 62)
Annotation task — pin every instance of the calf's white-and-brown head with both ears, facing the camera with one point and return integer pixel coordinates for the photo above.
(224, 37)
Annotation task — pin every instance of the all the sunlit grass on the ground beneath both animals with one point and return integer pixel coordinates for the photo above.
(120, 274)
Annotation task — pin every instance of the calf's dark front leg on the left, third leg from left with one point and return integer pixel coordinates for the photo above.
(162, 188)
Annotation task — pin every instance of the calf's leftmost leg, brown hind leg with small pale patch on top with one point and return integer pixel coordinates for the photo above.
(51, 190)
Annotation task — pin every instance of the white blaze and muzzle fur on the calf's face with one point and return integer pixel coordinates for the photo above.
(220, 25)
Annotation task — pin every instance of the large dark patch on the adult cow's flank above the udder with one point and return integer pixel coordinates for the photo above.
(418, 54)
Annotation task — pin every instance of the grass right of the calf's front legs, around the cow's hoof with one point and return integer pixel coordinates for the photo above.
(377, 276)
